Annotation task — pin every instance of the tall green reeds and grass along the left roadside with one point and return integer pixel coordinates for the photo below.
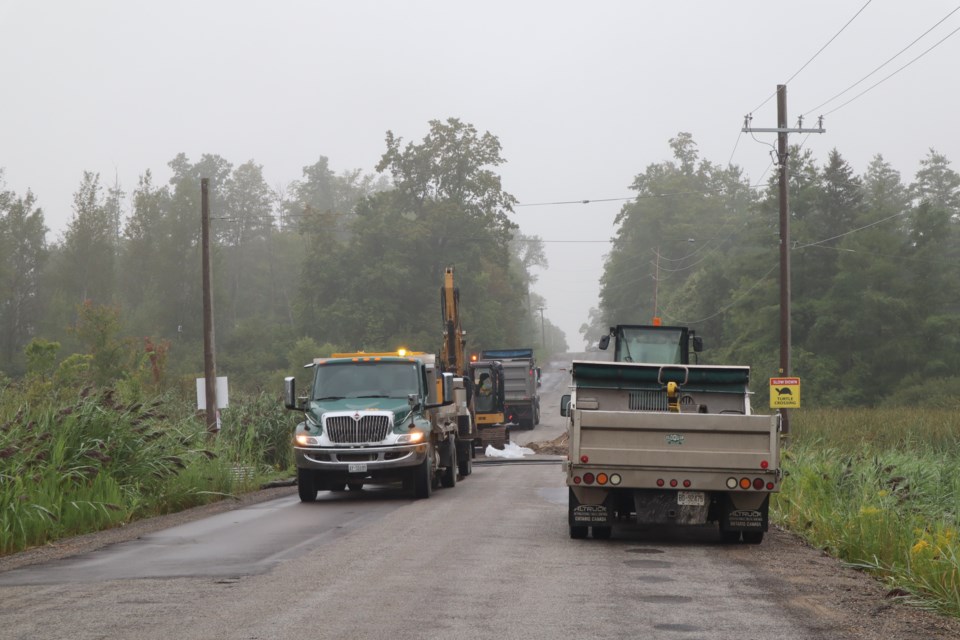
(98, 461)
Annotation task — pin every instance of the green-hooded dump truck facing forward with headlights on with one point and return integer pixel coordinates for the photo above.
(375, 417)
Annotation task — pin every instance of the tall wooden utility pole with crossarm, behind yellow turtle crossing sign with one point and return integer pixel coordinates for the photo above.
(782, 130)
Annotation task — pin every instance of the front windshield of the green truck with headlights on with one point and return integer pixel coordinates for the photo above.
(365, 380)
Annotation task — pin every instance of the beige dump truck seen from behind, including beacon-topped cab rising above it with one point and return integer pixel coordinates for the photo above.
(666, 443)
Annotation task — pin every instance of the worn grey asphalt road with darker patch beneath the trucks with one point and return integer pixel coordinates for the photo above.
(489, 558)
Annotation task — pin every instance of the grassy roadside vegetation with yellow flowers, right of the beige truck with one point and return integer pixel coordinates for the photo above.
(880, 489)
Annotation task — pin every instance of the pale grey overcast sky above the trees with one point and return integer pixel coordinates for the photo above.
(583, 96)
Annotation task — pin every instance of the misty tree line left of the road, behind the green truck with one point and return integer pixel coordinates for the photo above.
(328, 262)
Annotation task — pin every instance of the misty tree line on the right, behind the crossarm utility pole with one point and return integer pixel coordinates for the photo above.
(875, 272)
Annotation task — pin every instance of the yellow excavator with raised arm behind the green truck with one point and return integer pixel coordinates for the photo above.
(481, 420)
